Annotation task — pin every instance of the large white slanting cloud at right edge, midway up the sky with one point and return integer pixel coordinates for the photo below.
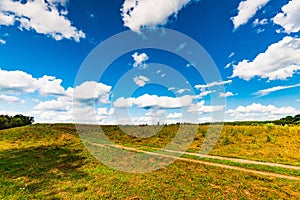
(280, 61)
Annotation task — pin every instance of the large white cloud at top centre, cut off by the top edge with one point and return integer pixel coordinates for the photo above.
(150, 13)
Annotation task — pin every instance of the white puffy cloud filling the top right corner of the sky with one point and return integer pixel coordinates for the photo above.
(289, 19)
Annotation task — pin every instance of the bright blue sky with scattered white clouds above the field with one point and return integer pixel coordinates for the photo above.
(254, 44)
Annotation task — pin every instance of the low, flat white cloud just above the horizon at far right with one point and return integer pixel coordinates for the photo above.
(258, 111)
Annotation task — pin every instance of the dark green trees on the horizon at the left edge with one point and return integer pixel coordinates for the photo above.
(14, 121)
